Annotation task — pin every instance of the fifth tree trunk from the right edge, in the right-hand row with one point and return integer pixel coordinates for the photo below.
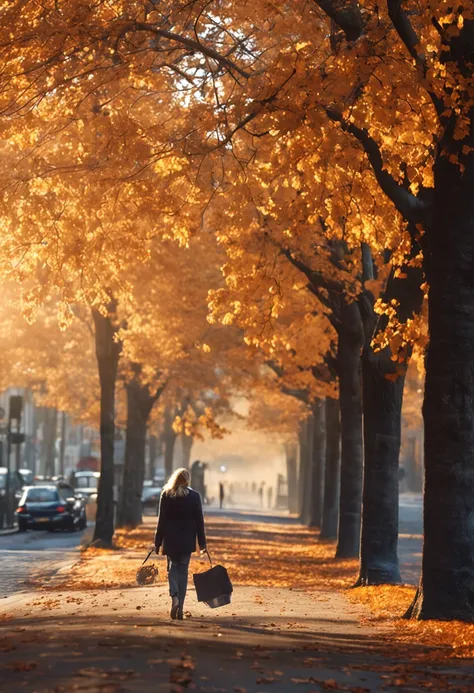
(317, 465)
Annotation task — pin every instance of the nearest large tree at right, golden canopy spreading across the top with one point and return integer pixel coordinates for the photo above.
(385, 89)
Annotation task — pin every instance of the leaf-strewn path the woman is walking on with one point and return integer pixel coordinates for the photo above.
(118, 639)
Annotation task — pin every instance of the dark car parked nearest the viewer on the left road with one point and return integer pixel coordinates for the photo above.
(50, 507)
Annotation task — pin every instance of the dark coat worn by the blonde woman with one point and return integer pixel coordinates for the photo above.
(180, 523)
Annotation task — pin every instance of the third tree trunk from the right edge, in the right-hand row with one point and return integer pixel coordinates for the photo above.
(350, 398)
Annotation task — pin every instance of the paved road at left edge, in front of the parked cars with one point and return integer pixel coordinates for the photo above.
(23, 556)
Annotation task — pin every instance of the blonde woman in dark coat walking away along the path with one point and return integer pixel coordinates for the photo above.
(180, 523)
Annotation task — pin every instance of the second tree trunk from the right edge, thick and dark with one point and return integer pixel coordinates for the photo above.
(383, 383)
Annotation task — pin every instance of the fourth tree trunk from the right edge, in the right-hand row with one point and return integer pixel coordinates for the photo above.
(332, 471)
